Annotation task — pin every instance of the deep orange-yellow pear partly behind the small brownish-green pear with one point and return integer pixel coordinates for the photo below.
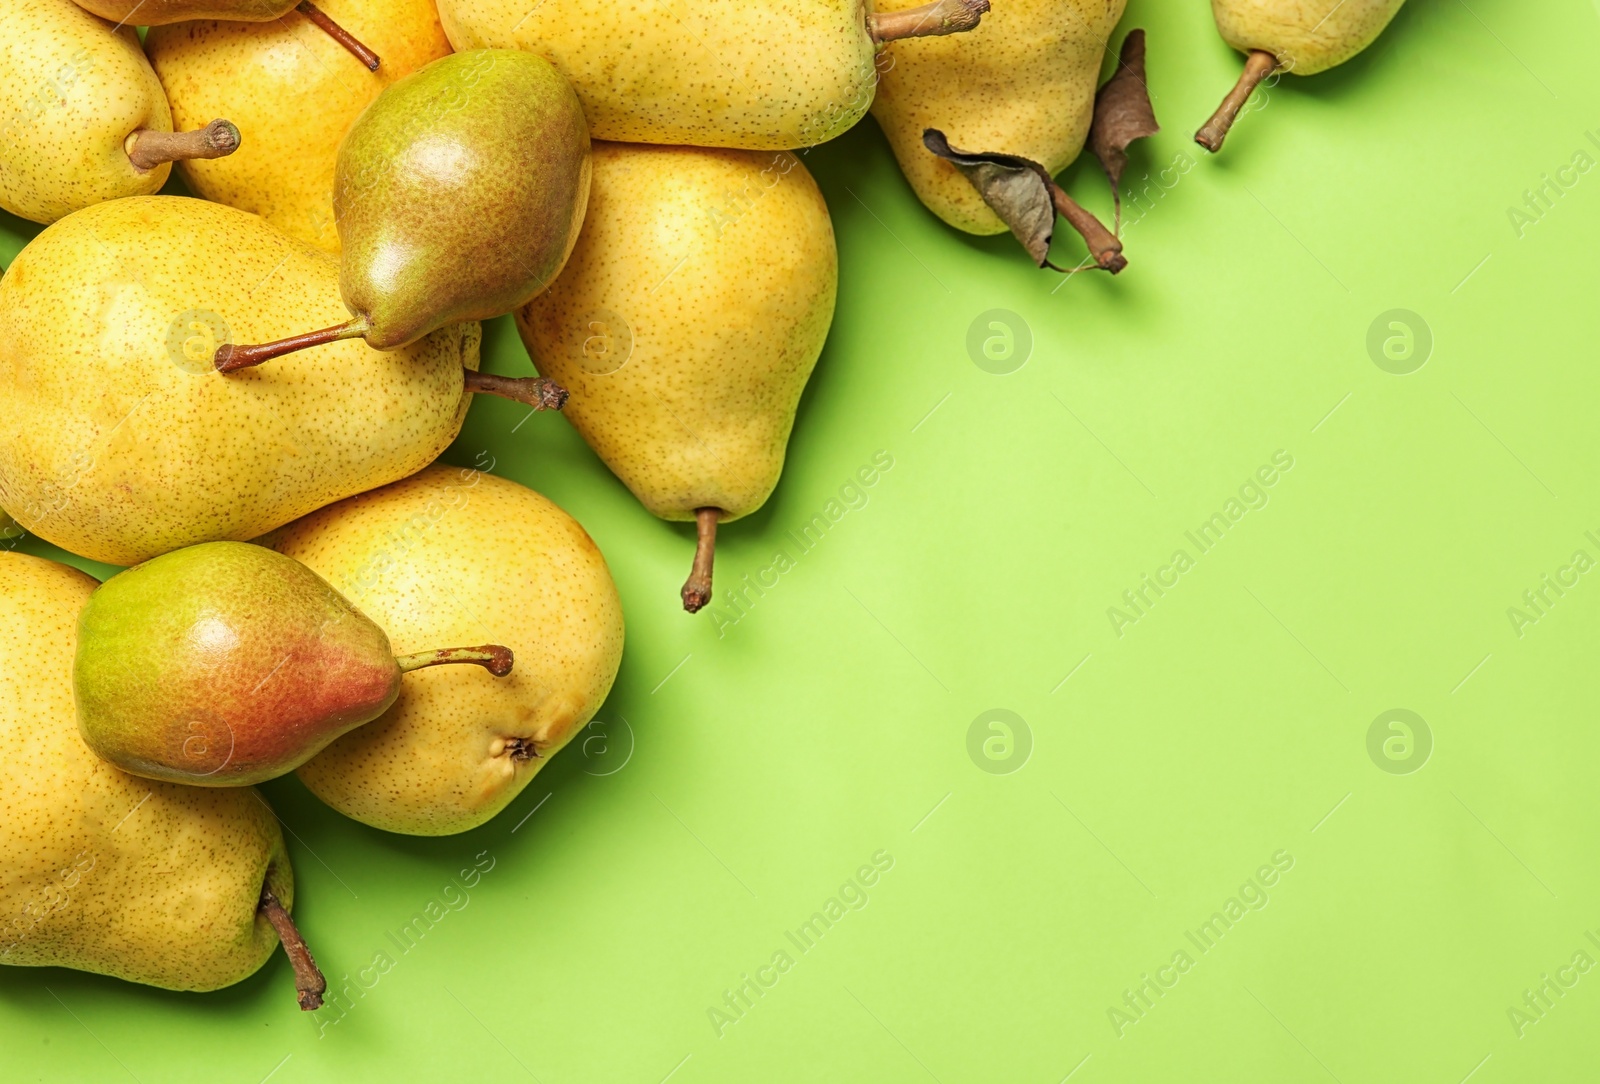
(295, 92)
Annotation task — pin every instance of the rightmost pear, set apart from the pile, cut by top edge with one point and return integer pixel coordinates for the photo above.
(1302, 38)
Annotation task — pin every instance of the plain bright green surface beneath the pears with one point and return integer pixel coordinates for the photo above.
(1172, 757)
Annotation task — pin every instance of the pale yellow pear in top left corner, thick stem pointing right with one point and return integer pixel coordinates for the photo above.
(82, 116)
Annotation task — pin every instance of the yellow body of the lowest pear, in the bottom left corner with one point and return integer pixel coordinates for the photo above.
(103, 872)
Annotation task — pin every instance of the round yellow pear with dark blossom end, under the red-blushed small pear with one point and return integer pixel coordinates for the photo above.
(462, 557)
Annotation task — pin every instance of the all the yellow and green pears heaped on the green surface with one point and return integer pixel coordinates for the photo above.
(241, 397)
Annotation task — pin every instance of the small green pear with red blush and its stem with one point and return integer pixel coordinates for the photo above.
(230, 664)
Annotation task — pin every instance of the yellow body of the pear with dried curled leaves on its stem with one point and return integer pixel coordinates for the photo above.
(1022, 84)
